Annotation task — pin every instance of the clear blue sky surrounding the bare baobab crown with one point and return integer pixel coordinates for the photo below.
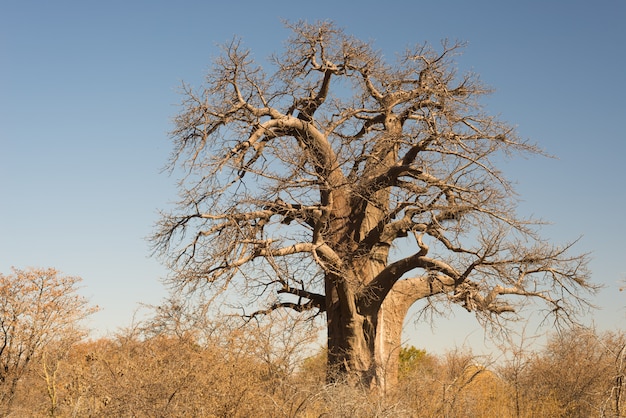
(88, 90)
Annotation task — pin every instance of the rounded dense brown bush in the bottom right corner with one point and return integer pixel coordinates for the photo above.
(578, 374)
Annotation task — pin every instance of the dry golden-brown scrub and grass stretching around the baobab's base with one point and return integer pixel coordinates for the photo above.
(180, 363)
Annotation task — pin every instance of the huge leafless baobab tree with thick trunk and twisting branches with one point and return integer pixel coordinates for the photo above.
(345, 185)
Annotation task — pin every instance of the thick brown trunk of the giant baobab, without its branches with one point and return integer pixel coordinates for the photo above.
(364, 335)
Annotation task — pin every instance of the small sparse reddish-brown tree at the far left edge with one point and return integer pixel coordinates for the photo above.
(40, 312)
